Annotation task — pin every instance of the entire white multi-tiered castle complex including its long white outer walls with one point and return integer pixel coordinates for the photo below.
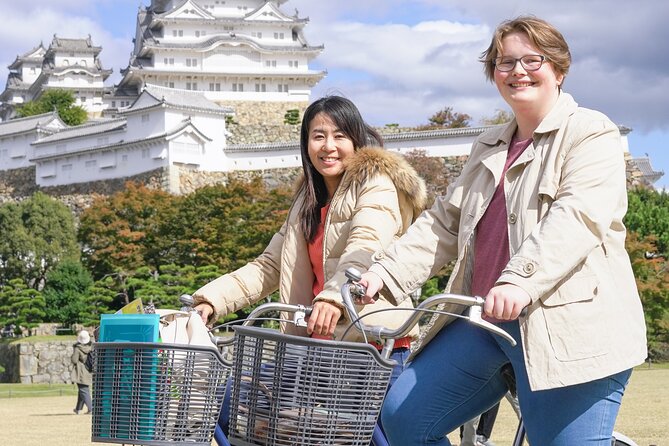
(195, 65)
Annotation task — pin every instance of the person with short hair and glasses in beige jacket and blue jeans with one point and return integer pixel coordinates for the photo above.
(534, 220)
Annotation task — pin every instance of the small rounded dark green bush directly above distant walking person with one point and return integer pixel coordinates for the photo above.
(65, 293)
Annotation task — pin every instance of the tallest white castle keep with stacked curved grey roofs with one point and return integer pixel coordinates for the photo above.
(234, 51)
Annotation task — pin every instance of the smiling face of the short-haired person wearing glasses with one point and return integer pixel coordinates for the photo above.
(528, 93)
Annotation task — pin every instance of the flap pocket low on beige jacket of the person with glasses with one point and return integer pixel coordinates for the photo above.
(574, 318)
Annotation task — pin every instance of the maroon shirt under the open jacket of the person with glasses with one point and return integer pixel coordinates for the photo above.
(491, 246)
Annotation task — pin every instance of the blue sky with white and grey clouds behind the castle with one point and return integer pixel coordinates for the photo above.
(401, 61)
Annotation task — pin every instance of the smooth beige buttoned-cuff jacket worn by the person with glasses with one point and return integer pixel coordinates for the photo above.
(566, 197)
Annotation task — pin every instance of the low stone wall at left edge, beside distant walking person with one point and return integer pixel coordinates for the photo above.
(36, 362)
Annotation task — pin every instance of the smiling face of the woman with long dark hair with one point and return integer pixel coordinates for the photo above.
(328, 147)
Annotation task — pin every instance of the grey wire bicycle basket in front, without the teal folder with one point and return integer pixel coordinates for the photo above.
(289, 390)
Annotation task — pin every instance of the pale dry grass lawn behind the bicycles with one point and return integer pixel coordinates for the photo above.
(32, 415)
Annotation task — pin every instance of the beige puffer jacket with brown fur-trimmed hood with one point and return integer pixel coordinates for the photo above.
(377, 200)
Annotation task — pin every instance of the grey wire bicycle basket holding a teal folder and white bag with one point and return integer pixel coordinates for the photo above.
(156, 394)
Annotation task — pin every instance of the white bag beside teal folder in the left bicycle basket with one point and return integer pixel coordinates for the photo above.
(180, 327)
